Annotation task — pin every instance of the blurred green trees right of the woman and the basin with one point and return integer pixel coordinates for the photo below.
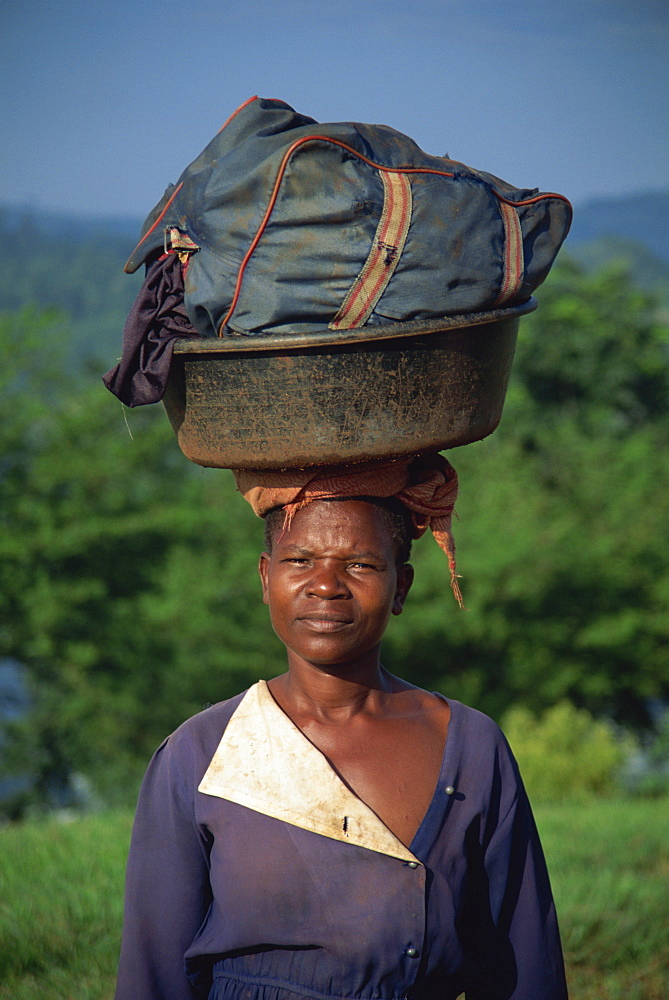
(562, 535)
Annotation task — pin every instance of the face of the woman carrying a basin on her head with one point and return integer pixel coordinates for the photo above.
(331, 582)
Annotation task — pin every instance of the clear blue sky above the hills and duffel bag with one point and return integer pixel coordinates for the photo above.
(104, 102)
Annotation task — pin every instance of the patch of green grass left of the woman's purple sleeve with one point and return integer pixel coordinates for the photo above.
(61, 907)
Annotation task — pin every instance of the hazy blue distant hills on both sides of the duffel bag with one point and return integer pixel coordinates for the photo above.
(76, 263)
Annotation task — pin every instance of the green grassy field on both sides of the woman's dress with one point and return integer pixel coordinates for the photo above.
(61, 889)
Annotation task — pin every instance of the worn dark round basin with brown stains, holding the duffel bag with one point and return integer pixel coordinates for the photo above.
(282, 401)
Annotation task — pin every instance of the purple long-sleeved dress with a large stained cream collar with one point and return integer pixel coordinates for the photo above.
(255, 874)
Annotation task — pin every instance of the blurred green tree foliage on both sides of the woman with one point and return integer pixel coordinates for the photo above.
(129, 590)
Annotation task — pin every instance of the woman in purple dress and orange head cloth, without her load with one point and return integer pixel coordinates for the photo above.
(337, 832)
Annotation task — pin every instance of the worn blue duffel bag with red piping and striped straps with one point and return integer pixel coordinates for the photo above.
(285, 225)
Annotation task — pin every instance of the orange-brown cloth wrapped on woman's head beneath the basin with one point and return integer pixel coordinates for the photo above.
(426, 484)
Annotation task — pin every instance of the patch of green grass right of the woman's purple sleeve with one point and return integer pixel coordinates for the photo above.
(609, 865)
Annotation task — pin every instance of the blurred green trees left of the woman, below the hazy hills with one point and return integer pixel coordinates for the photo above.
(123, 592)
